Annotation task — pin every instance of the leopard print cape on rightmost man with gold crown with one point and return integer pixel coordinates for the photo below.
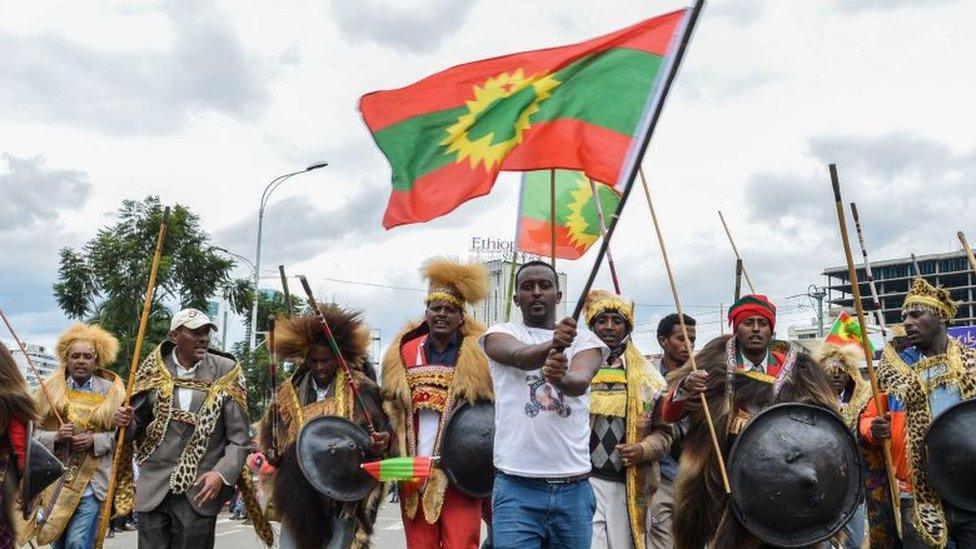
(905, 382)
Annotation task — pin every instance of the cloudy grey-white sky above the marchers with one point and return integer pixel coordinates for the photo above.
(203, 103)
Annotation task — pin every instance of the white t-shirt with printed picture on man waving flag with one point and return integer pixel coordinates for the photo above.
(539, 432)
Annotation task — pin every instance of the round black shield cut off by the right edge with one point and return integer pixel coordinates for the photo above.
(950, 445)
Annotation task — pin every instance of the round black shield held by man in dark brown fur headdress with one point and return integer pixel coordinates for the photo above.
(330, 451)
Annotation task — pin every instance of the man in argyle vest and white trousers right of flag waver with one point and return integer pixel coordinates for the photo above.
(628, 437)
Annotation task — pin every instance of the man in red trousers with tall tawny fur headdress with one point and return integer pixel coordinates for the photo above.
(434, 367)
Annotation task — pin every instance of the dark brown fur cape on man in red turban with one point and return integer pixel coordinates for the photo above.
(702, 510)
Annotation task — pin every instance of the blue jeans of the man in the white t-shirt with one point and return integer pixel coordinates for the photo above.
(529, 513)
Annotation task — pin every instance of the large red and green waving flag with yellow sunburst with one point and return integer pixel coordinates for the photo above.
(581, 107)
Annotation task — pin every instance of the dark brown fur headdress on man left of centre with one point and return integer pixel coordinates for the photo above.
(295, 336)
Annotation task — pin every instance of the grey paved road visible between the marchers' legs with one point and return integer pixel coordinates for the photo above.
(233, 534)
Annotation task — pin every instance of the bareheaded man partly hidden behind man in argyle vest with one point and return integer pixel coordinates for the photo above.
(671, 338)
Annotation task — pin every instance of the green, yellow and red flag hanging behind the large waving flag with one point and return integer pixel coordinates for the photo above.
(577, 224)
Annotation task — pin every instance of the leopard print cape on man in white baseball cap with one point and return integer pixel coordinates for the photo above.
(153, 375)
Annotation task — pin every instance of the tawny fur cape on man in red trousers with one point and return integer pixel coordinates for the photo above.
(471, 383)
